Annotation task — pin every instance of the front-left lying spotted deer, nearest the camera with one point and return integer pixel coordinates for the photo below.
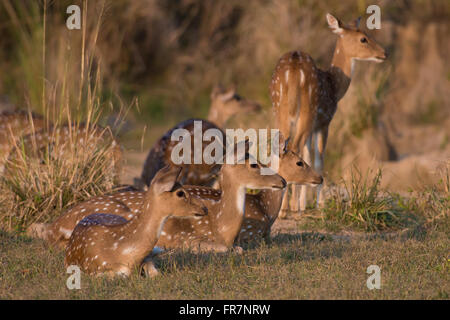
(104, 243)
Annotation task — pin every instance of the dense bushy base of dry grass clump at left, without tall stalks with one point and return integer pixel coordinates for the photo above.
(39, 184)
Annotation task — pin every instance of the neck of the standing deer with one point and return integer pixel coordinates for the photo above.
(340, 71)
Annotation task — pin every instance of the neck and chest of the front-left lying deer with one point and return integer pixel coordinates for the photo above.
(142, 232)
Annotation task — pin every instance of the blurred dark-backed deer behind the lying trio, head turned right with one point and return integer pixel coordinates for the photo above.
(224, 104)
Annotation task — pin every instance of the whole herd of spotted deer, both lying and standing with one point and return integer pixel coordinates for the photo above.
(207, 207)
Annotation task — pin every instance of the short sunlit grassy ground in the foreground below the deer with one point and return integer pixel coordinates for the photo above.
(295, 265)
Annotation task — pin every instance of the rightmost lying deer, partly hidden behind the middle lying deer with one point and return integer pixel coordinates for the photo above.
(262, 209)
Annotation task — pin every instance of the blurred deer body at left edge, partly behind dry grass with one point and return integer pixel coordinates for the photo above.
(14, 124)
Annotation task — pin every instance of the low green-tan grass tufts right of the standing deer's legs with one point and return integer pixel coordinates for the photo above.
(359, 204)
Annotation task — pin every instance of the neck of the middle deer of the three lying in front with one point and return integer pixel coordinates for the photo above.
(229, 212)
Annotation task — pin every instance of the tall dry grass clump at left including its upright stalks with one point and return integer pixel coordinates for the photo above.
(72, 159)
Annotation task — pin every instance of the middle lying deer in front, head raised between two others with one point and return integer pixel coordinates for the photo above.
(218, 231)
